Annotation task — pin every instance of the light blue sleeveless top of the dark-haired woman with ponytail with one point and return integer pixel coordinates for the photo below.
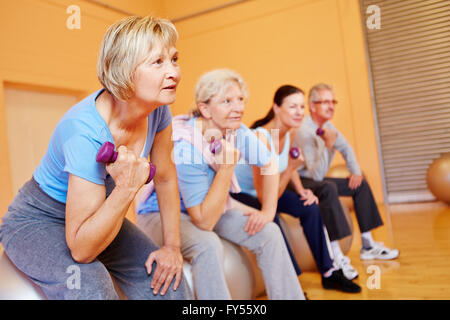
(244, 172)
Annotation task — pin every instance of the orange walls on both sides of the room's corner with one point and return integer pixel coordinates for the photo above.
(269, 42)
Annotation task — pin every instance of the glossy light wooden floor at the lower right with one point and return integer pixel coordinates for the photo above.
(422, 234)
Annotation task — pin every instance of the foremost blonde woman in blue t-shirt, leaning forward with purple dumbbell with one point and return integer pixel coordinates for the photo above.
(71, 215)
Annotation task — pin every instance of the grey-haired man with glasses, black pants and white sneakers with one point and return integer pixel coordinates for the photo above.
(319, 139)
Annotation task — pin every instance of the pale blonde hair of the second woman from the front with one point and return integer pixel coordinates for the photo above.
(215, 83)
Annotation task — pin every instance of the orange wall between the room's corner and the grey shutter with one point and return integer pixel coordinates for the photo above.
(300, 42)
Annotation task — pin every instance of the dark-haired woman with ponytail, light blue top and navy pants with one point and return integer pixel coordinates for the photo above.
(276, 132)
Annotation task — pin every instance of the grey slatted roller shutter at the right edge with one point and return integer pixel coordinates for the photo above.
(409, 62)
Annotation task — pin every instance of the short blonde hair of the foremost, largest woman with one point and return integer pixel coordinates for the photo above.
(126, 44)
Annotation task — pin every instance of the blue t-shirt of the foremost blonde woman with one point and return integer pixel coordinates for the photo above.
(75, 142)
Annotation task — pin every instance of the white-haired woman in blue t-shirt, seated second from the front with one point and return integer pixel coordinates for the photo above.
(205, 179)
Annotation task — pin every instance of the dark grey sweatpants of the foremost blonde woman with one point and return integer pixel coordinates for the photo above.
(33, 236)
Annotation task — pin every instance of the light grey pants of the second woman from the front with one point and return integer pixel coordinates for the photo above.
(204, 250)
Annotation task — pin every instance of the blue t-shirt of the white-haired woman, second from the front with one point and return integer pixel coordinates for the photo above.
(195, 176)
